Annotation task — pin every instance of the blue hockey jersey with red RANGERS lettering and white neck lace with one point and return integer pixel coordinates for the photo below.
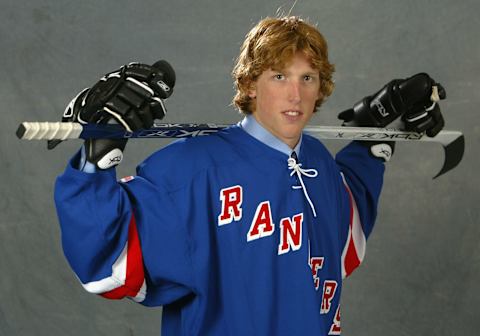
(229, 235)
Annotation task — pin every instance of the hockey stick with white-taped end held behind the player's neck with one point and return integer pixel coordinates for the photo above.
(453, 142)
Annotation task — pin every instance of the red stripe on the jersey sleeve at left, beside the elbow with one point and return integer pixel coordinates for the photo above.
(134, 275)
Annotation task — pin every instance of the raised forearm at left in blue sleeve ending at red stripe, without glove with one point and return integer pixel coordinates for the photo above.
(99, 233)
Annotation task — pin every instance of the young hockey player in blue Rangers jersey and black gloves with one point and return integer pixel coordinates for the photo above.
(249, 231)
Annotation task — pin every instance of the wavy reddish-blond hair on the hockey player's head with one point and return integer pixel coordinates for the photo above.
(272, 43)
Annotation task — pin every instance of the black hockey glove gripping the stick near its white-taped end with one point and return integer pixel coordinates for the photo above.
(131, 96)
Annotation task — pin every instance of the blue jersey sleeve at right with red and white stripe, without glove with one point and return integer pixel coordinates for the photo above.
(361, 180)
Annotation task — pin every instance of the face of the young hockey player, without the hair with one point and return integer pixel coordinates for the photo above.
(285, 99)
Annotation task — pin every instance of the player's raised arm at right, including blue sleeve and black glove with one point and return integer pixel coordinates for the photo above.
(361, 163)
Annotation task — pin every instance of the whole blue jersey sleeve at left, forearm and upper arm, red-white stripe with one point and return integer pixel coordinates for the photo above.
(113, 230)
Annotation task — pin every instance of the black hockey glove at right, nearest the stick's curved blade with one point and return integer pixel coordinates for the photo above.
(414, 99)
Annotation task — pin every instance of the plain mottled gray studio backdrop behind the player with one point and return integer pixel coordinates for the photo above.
(422, 270)
